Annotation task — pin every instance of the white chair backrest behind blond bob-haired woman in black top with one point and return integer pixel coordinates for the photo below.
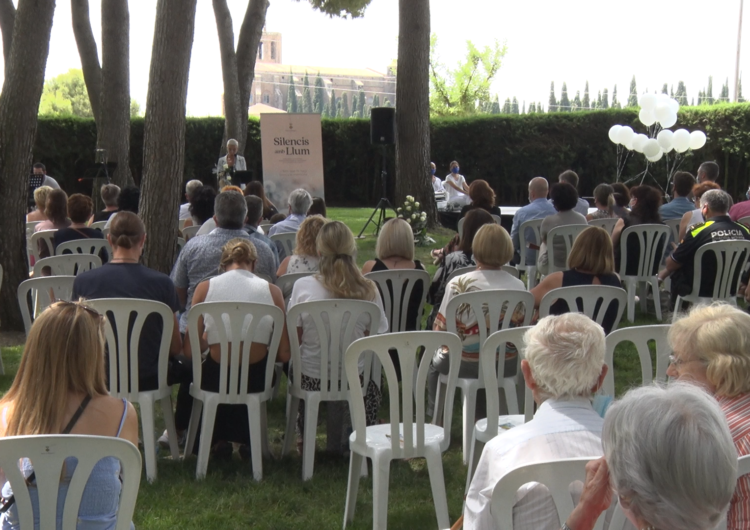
(396, 288)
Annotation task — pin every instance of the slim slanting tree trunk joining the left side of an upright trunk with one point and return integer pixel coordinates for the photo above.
(92, 72)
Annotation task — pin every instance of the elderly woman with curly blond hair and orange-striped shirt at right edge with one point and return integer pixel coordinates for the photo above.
(711, 348)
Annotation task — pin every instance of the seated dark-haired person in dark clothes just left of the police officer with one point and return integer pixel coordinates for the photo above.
(644, 210)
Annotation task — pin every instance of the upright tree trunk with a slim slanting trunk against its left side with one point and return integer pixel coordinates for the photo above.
(113, 127)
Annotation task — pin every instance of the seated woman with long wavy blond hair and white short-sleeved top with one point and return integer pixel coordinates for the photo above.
(338, 277)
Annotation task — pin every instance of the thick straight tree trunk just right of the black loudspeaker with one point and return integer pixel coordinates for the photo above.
(413, 106)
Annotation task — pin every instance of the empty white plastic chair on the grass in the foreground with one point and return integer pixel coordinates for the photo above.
(406, 435)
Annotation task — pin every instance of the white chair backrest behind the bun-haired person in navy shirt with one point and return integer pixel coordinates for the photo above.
(125, 320)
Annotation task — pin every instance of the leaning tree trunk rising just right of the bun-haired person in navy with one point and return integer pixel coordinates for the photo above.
(164, 130)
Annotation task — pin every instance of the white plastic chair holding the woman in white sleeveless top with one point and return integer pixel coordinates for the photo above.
(233, 315)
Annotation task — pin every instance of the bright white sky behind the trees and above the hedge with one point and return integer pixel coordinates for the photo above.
(604, 42)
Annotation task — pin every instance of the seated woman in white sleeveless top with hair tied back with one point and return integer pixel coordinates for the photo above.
(236, 283)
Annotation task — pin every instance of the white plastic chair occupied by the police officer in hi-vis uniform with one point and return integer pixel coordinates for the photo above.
(731, 258)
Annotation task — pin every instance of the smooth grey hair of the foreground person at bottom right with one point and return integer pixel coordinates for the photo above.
(671, 457)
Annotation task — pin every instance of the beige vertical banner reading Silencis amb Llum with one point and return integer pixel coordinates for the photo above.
(292, 148)
